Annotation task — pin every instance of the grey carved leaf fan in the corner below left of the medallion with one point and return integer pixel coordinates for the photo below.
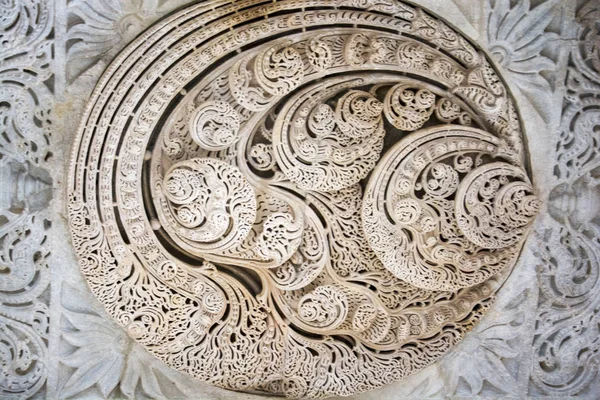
(100, 355)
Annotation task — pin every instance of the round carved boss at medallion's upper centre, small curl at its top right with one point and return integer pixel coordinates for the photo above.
(325, 150)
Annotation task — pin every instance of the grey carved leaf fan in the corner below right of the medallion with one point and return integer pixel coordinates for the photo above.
(491, 353)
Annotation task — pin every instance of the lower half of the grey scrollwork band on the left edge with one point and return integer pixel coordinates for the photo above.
(24, 318)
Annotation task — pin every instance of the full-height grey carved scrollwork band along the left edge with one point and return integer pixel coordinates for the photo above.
(25, 139)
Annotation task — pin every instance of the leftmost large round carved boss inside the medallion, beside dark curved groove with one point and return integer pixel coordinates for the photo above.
(207, 203)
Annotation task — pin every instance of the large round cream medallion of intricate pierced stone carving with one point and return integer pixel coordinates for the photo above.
(263, 211)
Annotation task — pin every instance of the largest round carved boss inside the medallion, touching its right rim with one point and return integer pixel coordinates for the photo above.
(439, 216)
